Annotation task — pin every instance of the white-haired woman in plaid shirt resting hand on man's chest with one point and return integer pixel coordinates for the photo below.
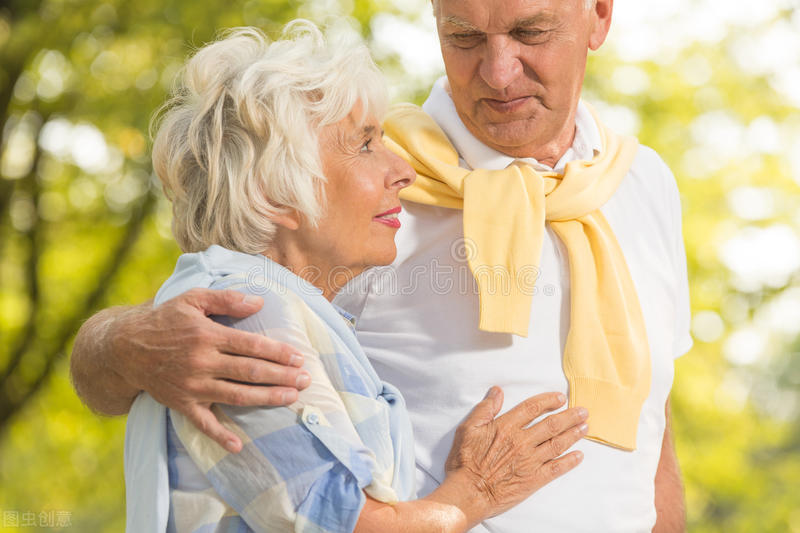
(272, 156)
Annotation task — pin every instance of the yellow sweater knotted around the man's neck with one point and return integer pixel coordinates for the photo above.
(607, 356)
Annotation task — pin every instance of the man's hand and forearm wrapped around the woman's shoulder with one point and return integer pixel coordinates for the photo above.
(184, 359)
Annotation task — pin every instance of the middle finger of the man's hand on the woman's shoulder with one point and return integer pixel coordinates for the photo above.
(258, 372)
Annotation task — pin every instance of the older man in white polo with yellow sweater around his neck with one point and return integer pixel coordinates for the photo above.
(539, 252)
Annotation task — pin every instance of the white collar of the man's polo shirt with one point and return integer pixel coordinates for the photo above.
(475, 154)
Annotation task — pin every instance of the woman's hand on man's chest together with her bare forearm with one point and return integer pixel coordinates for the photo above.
(494, 464)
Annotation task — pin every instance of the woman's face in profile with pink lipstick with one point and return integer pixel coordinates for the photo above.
(364, 178)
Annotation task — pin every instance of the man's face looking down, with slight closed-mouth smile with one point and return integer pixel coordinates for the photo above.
(516, 68)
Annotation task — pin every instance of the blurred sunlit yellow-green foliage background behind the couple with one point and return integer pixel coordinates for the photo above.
(712, 85)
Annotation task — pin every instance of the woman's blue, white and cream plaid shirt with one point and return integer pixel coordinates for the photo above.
(305, 467)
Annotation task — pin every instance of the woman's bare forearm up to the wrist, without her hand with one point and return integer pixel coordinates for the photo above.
(454, 507)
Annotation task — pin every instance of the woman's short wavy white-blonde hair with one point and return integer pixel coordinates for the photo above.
(238, 140)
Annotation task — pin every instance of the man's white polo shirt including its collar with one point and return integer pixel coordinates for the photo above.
(418, 323)
